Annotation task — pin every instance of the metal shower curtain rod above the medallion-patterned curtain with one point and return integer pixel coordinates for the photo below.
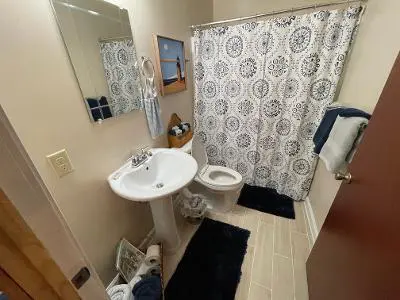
(295, 9)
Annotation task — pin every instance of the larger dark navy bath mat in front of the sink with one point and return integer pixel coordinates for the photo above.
(211, 266)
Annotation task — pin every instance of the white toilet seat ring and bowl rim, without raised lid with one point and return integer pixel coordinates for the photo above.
(219, 178)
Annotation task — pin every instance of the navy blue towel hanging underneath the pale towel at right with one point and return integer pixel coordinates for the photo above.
(322, 133)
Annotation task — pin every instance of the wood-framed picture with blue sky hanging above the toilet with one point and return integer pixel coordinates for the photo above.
(171, 64)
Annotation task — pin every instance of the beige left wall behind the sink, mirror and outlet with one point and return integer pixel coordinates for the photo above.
(42, 100)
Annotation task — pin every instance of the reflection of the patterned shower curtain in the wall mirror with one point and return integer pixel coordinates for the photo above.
(119, 60)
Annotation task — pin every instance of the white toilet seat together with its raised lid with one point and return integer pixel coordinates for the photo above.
(214, 177)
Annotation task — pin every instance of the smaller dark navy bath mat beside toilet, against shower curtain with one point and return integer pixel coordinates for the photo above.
(267, 200)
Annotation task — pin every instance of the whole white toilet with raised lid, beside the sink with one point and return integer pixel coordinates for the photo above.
(221, 186)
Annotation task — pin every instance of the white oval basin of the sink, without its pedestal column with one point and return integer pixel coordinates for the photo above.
(166, 172)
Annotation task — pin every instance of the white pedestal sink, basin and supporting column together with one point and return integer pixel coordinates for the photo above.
(163, 174)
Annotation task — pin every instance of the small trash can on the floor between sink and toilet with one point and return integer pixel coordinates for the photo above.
(193, 206)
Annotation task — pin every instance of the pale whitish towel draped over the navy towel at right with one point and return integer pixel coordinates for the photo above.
(340, 142)
